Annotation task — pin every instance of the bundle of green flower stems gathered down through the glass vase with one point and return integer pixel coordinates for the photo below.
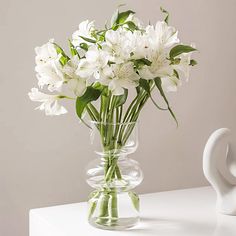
(114, 137)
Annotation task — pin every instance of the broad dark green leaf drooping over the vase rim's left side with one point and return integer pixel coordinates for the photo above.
(91, 94)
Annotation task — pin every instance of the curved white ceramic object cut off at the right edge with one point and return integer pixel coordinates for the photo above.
(226, 191)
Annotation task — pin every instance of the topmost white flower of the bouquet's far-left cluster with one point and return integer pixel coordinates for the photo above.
(45, 53)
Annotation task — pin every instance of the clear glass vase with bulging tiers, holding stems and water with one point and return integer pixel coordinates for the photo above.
(113, 204)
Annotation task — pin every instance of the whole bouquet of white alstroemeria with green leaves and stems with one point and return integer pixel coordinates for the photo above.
(104, 65)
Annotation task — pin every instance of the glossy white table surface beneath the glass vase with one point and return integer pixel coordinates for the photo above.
(187, 212)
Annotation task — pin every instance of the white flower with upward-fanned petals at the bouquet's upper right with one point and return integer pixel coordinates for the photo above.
(162, 36)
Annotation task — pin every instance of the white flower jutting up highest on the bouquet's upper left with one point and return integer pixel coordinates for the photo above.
(85, 29)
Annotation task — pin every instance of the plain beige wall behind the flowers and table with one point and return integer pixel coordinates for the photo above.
(42, 158)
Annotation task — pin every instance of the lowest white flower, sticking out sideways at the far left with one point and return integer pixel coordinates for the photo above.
(49, 102)
